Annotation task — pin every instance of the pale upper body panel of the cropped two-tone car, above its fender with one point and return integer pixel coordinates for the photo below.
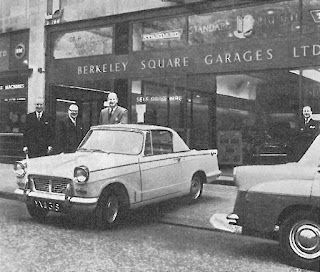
(248, 176)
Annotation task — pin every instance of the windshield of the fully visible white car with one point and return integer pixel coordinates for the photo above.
(113, 141)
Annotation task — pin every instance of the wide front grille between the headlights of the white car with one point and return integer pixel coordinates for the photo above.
(50, 184)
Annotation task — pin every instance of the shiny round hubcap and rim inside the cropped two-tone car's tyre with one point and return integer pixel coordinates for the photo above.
(305, 240)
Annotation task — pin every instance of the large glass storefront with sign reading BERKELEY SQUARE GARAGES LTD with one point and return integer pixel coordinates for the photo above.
(225, 78)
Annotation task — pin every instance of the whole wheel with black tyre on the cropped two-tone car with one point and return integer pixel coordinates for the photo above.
(300, 238)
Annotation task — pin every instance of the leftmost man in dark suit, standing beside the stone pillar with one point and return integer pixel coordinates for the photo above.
(38, 134)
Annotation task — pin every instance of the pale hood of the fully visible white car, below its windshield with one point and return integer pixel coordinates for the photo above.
(63, 165)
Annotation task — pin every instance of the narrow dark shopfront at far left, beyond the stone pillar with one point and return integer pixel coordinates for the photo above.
(14, 75)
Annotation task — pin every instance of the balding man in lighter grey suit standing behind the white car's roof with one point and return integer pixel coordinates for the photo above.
(113, 114)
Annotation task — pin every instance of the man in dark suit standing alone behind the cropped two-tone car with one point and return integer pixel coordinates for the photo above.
(308, 130)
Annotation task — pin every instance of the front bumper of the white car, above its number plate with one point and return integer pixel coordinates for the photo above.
(69, 202)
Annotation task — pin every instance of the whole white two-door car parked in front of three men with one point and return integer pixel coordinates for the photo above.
(115, 168)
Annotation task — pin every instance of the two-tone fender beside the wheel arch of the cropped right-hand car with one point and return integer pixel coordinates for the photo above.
(266, 201)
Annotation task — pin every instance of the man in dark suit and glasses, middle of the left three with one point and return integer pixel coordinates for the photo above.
(69, 131)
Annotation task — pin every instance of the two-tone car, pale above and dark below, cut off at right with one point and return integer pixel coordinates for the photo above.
(282, 202)
